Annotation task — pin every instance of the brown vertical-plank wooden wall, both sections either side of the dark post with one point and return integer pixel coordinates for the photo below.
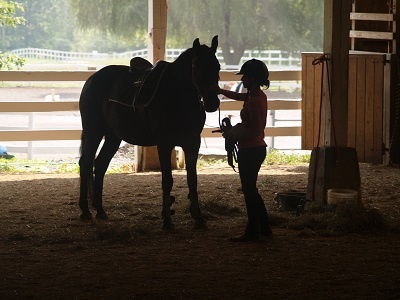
(365, 104)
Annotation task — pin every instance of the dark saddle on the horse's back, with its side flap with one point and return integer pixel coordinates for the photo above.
(138, 90)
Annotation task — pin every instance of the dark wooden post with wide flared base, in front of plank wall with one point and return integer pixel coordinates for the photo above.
(333, 160)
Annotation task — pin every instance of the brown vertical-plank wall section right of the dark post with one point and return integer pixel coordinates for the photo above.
(365, 106)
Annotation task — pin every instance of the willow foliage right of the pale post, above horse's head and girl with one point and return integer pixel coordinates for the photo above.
(292, 25)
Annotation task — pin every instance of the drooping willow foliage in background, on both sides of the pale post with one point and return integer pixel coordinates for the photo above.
(292, 25)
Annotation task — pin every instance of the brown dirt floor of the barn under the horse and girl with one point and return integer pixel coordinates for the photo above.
(46, 252)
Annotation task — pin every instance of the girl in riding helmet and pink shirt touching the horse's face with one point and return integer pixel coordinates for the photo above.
(252, 148)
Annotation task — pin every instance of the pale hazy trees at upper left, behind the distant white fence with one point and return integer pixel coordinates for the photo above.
(51, 24)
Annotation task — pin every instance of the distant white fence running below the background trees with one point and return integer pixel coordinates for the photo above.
(270, 57)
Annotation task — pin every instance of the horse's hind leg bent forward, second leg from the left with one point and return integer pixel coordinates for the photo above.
(101, 163)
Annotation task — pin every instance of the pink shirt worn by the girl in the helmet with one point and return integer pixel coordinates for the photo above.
(254, 118)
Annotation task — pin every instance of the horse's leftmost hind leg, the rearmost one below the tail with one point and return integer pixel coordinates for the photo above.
(89, 145)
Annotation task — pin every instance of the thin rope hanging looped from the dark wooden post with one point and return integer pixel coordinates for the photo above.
(323, 59)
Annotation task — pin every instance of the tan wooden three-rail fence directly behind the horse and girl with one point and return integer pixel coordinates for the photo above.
(31, 134)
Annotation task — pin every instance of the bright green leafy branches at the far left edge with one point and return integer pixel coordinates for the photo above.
(8, 18)
